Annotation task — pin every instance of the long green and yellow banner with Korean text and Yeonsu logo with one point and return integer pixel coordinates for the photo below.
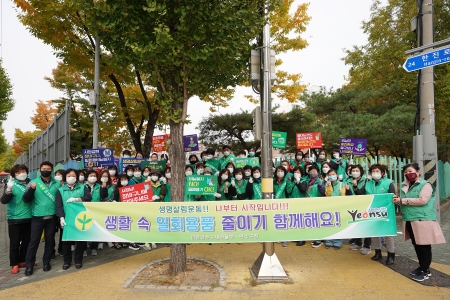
(319, 218)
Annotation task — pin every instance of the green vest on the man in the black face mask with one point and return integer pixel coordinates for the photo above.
(44, 198)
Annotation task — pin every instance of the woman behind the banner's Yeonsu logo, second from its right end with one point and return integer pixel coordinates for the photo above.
(357, 184)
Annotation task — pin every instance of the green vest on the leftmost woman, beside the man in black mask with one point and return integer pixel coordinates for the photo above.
(16, 209)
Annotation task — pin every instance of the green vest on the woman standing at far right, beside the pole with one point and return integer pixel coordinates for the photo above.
(416, 213)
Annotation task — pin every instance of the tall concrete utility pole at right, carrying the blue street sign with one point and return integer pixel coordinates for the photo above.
(427, 108)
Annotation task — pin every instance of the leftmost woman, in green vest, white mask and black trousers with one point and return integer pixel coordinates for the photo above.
(18, 214)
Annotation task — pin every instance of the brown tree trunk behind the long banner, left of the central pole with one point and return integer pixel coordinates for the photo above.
(176, 154)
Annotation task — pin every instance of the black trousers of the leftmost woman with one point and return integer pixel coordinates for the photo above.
(19, 239)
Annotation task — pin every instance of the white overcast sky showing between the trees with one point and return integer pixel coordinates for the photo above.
(335, 26)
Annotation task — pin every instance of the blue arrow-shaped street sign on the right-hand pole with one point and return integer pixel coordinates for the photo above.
(428, 59)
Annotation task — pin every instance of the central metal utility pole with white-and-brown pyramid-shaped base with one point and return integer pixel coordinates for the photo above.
(267, 267)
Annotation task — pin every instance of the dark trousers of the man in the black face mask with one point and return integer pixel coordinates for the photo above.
(39, 225)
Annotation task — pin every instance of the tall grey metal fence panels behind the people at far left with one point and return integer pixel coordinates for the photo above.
(52, 145)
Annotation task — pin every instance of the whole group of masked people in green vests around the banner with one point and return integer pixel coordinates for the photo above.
(39, 205)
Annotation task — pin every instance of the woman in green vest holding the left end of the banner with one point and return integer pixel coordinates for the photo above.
(72, 191)
